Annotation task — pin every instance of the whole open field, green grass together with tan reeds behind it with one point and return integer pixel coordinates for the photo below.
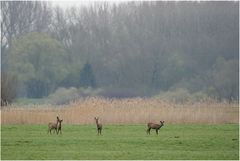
(207, 130)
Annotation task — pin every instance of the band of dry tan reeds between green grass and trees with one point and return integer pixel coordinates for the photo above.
(123, 111)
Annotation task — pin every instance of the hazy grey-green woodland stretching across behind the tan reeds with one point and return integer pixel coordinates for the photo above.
(126, 50)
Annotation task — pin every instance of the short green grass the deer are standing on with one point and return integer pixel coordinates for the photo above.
(80, 142)
